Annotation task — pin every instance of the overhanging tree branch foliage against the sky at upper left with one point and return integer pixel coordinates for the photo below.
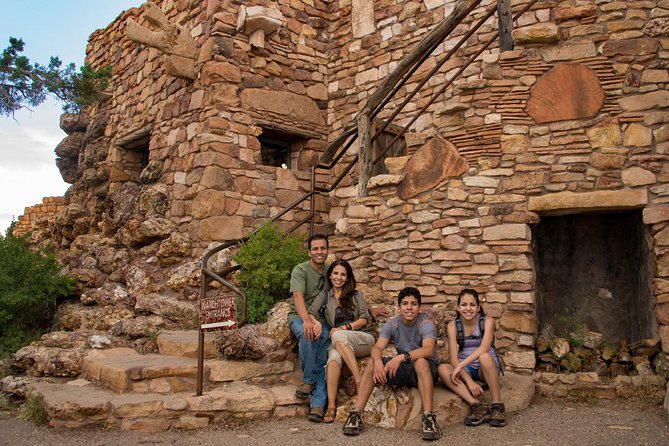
(25, 85)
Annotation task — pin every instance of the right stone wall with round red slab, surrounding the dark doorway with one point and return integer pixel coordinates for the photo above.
(572, 120)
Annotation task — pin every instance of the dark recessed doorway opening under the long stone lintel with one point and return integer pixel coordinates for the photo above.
(594, 271)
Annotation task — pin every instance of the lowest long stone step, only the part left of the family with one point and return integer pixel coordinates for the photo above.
(79, 403)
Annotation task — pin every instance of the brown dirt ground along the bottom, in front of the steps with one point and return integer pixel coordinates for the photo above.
(546, 422)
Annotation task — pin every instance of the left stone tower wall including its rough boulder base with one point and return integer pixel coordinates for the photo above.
(170, 163)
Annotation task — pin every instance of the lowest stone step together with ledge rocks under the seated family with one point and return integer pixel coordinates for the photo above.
(79, 403)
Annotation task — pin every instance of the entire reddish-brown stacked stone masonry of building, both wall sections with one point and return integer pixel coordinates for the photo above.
(574, 119)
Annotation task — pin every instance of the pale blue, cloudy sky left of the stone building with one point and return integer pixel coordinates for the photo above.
(48, 28)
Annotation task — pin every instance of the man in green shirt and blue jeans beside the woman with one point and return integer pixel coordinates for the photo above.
(306, 281)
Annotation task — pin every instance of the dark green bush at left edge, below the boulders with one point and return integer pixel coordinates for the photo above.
(30, 285)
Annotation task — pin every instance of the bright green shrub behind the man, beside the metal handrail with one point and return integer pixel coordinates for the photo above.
(267, 260)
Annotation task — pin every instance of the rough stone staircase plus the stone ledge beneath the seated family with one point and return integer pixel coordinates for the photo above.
(121, 388)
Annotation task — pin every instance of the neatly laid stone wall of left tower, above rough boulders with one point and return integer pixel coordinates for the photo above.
(202, 133)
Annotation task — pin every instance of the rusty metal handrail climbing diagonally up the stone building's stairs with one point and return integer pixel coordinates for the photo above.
(338, 148)
